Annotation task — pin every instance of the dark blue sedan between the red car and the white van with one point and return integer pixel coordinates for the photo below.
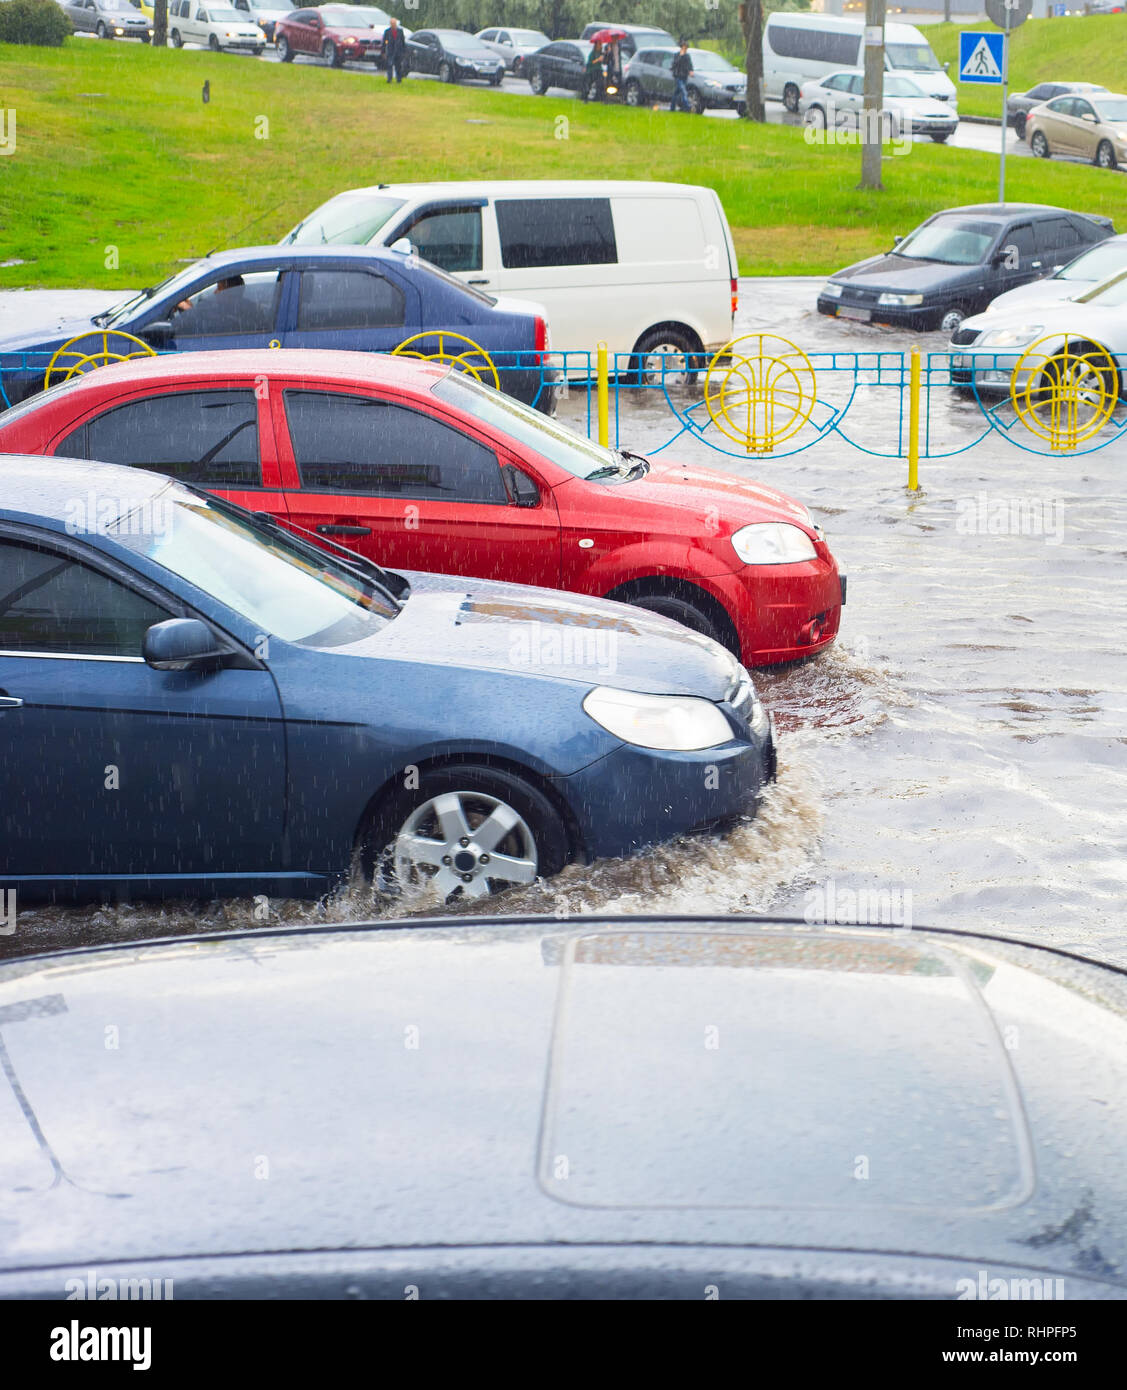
(363, 300)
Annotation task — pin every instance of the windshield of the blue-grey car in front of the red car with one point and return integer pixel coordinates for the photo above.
(291, 593)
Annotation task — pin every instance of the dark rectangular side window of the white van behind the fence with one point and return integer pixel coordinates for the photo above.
(557, 231)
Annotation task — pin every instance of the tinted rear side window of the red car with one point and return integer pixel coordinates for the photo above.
(206, 437)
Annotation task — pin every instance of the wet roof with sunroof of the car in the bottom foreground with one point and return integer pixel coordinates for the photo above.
(878, 1092)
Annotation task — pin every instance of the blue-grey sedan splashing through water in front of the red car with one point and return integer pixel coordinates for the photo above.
(262, 698)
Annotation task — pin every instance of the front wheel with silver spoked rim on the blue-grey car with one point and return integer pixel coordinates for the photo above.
(537, 836)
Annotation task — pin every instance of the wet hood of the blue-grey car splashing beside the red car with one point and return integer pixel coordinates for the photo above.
(452, 621)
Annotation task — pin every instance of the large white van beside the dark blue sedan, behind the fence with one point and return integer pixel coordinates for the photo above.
(643, 268)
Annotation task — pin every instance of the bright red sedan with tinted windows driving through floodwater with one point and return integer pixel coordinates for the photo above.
(422, 468)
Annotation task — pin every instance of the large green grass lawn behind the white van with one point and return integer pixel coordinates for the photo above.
(116, 149)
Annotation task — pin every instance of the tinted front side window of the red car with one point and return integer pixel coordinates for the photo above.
(355, 444)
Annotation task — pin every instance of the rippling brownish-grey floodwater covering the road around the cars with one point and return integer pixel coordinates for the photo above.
(961, 757)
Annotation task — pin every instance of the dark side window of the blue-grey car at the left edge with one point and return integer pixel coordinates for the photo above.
(51, 603)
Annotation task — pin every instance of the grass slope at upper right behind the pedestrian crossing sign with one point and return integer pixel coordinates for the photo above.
(1072, 49)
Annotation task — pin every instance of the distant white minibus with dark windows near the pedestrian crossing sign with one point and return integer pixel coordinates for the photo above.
(798, 48)
